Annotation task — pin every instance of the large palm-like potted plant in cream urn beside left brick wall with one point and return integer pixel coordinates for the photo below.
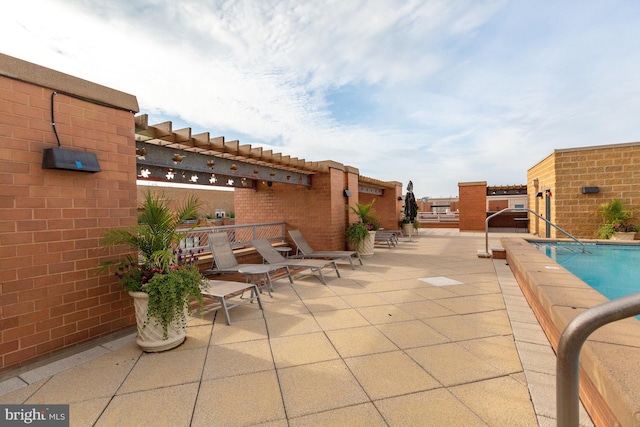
(162, 278)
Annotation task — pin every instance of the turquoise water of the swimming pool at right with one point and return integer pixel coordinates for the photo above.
(612, 270)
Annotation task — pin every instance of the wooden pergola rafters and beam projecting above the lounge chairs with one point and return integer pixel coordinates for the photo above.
(168, 155)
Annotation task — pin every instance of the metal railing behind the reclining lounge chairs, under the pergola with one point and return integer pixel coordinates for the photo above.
(239, 235)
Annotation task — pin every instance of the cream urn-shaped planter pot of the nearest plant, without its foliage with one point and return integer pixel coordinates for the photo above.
(150, 336)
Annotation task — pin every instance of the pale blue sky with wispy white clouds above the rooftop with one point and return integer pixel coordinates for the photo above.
(434, 91)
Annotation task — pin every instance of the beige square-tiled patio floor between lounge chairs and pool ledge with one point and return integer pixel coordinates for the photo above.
(423, 334)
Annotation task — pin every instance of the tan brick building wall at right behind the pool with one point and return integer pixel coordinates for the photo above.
(615, 169)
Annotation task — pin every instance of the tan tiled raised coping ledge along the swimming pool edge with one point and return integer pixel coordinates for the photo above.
(609, 389)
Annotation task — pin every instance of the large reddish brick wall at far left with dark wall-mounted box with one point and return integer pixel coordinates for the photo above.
(51, 220)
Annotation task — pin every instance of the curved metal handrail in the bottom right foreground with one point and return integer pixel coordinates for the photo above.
(571, 340)
